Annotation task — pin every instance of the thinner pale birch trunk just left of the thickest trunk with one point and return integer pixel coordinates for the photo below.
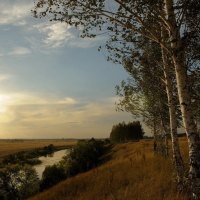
(177, 158)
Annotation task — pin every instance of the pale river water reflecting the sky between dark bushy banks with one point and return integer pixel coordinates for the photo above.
(49, 160)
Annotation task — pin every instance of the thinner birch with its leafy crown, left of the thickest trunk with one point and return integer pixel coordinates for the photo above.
(145, 95)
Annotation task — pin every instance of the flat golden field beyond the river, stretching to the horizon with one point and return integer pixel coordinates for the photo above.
(8, 147)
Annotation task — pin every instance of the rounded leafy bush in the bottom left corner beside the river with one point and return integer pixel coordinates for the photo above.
(18, 182)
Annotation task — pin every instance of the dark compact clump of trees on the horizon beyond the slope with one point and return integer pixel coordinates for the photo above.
(125, 132)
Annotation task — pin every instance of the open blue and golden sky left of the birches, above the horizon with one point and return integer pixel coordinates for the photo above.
(53, 84)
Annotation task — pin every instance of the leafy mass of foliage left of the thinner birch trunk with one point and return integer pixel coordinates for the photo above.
(143, 94)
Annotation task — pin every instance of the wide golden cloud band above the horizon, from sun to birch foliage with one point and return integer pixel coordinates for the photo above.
(38, 116)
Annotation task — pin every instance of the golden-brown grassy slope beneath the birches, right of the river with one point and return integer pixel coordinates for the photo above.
(133, 173)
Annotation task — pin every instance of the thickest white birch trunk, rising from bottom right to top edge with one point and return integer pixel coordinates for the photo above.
(178, 57)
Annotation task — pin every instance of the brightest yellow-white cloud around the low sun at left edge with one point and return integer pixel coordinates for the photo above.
(19, 109)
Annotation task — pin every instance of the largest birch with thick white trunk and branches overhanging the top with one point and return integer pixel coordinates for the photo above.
(141, 18)
